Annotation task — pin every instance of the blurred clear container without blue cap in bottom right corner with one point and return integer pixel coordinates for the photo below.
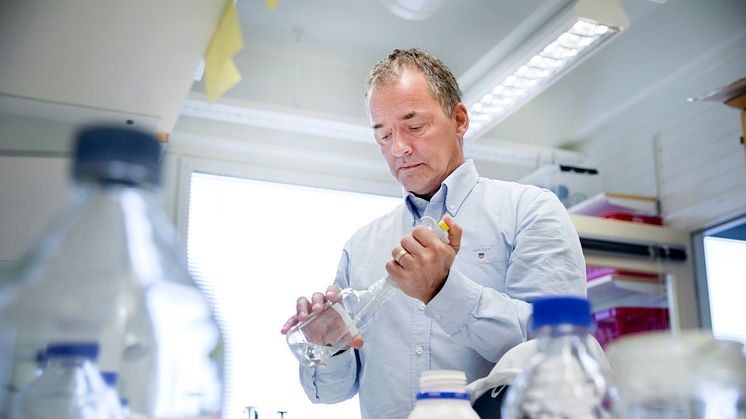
(690, 374)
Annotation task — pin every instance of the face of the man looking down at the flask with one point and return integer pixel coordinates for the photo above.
(422, 145)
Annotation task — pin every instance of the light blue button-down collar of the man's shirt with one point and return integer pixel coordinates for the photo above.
(456, 187)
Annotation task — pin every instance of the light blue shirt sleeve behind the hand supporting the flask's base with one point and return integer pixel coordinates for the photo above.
(336, 379)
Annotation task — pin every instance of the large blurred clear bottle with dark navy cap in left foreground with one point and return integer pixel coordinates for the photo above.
(108, 271)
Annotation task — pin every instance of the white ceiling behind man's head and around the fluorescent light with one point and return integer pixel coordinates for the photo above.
(312, 57)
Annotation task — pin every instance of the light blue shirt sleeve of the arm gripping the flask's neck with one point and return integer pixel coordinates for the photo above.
(546, 260)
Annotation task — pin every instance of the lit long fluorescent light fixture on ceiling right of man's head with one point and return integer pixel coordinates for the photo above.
(573, 35)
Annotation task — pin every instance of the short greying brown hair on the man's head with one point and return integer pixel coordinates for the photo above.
(443, 85)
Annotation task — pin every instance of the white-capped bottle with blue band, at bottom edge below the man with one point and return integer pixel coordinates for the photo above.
(443, 396)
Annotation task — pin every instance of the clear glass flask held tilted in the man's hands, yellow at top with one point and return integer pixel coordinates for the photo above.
(322, 335)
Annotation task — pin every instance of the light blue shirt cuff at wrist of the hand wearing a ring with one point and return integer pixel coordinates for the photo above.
(452, 307)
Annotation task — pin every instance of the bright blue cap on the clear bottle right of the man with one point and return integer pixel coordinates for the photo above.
(561, 310)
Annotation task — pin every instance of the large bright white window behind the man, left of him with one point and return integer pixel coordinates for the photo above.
(257, 246)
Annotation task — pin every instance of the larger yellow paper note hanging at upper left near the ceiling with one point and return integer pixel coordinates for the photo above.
(220, 72)
